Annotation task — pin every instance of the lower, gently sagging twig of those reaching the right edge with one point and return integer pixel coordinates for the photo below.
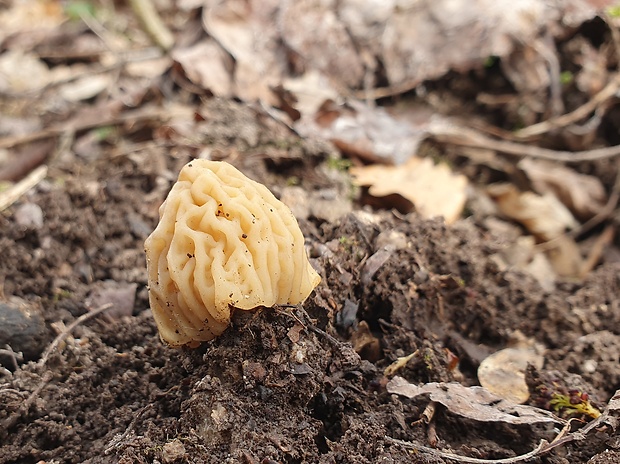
(458, 135)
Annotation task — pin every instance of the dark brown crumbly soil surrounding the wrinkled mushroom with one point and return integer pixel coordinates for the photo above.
(281, 385)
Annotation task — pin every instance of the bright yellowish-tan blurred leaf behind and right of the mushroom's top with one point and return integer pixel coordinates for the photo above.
(434, 190)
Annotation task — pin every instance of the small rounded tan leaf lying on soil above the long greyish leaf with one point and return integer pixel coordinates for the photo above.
(503, 372)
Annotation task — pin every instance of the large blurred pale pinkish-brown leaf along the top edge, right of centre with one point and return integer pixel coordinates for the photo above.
(424, 39)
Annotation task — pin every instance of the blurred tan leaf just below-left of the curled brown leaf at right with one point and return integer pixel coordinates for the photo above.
(544, 216)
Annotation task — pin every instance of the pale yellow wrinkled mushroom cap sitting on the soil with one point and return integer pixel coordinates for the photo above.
(223, 241)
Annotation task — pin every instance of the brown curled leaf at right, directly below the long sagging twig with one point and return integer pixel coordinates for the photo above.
(584, 195)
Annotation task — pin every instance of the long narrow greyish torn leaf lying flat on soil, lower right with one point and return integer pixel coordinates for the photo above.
(474, 403)
